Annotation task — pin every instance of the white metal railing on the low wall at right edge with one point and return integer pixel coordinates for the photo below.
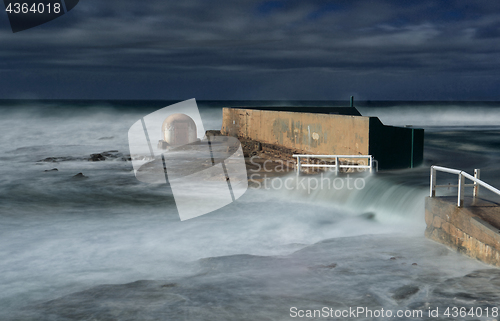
(461, 183)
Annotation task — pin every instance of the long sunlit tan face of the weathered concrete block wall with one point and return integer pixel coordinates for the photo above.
(304, 132)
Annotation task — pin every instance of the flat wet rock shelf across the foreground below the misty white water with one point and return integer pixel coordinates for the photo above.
(229, 288)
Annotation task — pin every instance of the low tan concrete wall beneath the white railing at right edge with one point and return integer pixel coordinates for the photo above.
(471, 230)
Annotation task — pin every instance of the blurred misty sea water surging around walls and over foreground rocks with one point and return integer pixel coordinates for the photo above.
(108, 247)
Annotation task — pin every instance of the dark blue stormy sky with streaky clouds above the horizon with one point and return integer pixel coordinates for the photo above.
(241, 49)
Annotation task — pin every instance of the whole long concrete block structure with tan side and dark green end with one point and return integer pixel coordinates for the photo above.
(327, 131)
